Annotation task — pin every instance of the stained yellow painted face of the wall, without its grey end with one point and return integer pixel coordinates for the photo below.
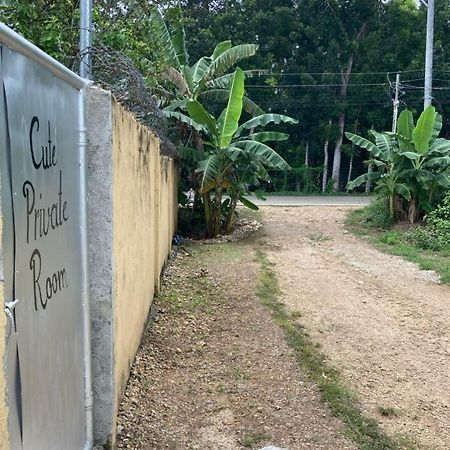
(144, 221)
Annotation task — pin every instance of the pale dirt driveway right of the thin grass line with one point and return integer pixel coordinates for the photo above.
(381, 321)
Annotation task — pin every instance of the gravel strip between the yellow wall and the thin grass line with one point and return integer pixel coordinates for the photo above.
(214, 371)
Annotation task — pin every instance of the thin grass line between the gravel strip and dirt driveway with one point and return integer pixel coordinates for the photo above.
(363, 431)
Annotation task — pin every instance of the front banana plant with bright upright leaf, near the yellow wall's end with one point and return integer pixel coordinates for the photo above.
(236, 155)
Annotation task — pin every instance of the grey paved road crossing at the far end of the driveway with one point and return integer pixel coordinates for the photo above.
(313, 200)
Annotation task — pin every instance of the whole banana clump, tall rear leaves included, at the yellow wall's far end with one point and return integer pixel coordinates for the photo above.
(222, 157)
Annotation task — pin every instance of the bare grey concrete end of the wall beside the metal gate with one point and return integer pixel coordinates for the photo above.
(100, 201)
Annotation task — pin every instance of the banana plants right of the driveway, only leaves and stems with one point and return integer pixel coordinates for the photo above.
(413, 162)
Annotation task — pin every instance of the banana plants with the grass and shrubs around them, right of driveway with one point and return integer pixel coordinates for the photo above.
(410, 215)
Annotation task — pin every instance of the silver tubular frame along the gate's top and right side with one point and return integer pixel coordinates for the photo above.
(15, 42)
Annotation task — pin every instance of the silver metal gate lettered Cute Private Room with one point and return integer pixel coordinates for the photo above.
(44, 245)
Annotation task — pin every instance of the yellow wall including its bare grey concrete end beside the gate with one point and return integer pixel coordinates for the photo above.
(132, 218)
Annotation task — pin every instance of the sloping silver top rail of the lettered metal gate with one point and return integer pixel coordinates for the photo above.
(15, 42)
